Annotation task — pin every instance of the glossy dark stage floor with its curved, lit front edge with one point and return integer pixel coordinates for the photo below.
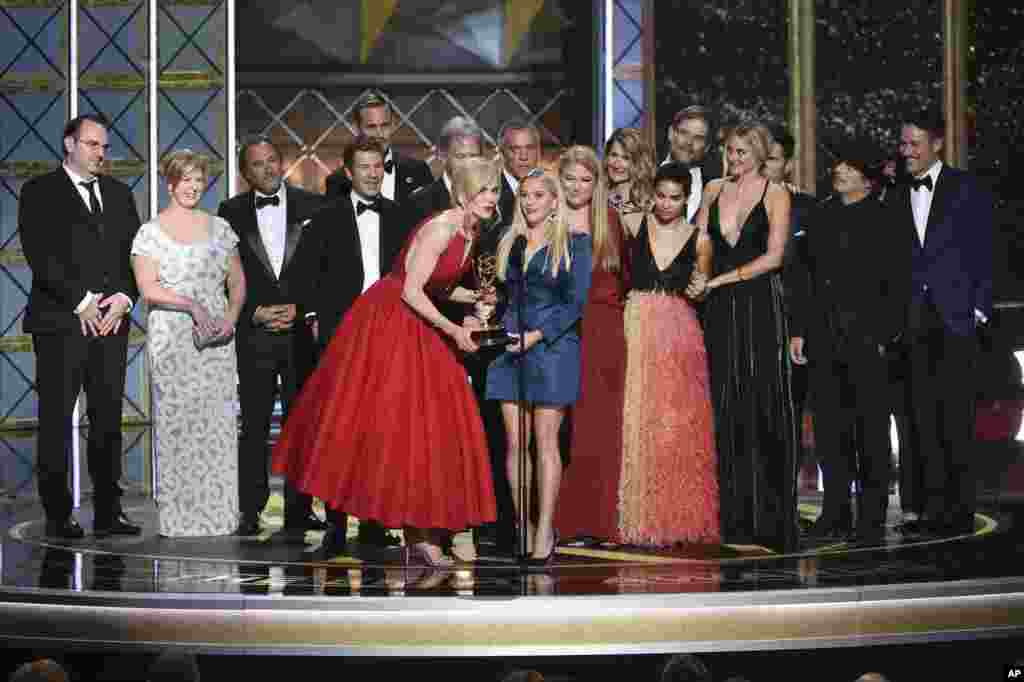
(272, 594)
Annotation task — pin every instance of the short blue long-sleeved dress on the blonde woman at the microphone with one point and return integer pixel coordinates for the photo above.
(553, 306)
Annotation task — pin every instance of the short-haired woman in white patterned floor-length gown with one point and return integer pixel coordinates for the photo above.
(185, 262)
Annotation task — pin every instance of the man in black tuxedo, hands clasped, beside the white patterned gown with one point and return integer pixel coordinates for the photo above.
(274, 340)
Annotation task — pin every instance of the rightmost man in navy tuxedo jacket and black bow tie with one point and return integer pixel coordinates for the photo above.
(950, 220)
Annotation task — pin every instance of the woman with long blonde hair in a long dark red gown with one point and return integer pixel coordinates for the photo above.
(588, 502)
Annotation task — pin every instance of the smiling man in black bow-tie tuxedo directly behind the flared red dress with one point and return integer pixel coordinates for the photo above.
(361, 235)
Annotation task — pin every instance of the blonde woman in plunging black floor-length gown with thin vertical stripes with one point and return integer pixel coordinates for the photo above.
(748, 221)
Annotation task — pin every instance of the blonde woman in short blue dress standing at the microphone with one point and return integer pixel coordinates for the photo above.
(547, 271)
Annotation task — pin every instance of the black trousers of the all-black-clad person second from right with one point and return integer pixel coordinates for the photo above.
(851, 399)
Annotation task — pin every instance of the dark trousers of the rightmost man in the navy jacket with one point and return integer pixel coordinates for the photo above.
(943, 395)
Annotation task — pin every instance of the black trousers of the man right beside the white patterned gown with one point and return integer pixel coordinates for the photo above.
(263, 359)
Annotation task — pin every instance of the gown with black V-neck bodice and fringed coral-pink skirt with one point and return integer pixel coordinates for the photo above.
(668, 491)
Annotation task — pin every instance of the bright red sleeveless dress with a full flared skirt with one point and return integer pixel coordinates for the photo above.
(388, 428)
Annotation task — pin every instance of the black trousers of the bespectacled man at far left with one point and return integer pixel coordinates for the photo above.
(65, 365)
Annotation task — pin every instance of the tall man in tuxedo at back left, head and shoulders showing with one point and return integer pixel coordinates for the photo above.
(403, 177)
